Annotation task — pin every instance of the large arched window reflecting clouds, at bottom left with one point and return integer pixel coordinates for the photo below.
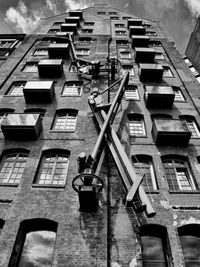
(34, 245)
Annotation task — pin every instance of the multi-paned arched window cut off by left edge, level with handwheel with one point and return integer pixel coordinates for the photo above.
(12, 167)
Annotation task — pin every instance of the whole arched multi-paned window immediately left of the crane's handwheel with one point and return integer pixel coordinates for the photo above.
(53, 168)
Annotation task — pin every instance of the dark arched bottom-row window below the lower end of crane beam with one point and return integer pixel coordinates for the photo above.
(155, 246)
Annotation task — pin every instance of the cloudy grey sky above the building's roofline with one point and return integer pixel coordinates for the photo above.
(178, 16)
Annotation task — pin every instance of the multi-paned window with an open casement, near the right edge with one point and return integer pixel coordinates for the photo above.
(178, 175)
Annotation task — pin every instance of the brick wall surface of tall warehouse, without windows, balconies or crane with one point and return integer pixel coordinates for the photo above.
(113, 235)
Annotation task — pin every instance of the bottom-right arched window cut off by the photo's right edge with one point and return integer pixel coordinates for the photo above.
(189, 236)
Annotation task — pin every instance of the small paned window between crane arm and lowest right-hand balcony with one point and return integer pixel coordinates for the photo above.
(136, 125)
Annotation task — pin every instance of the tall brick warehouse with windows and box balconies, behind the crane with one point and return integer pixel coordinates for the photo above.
(47, 122)
